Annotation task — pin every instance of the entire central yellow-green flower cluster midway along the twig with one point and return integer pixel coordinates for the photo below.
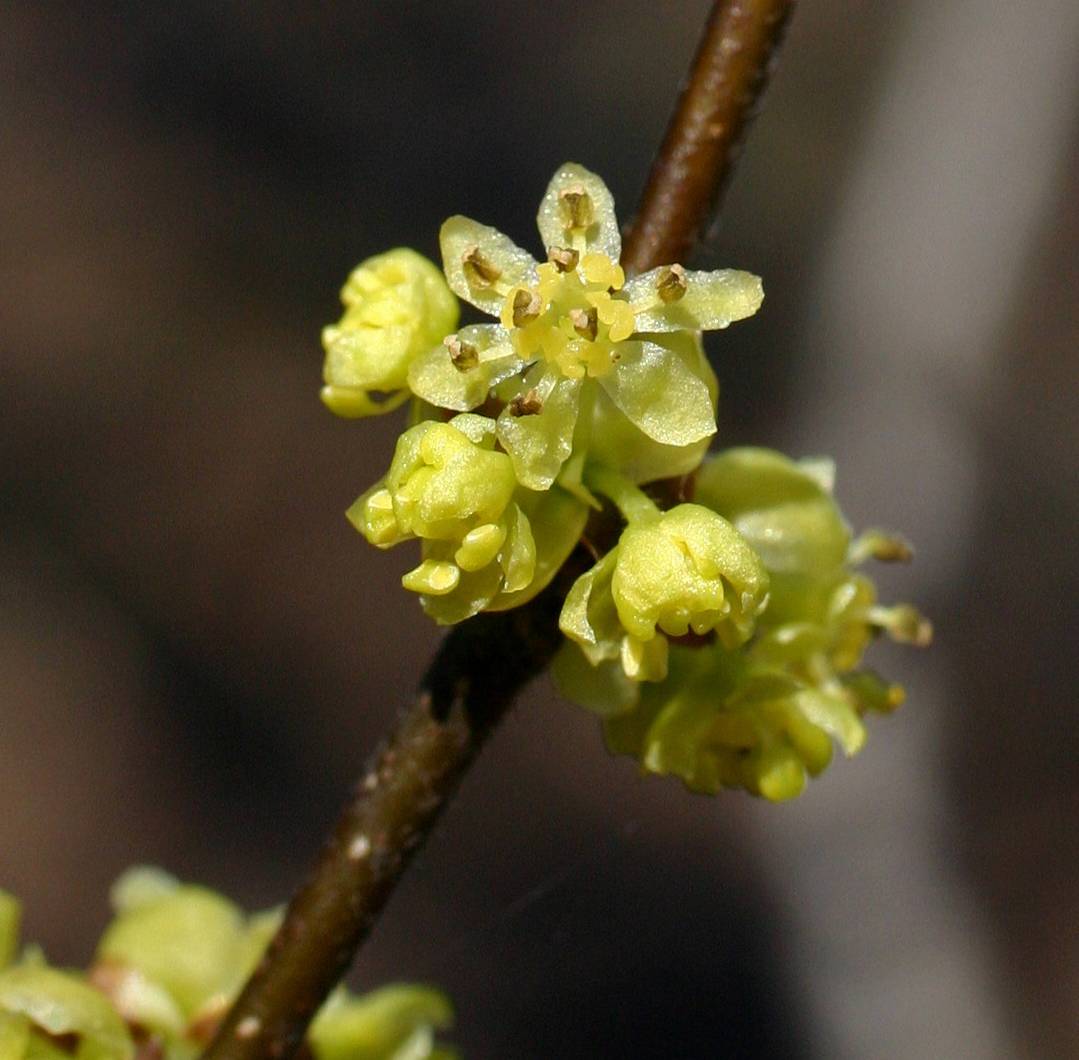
(720, 640)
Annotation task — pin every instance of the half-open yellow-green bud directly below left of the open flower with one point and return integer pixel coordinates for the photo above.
(452, 488)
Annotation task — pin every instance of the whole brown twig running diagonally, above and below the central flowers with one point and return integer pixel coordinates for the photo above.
(486, 662)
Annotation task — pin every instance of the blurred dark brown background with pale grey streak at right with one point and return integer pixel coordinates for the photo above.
(197, 651)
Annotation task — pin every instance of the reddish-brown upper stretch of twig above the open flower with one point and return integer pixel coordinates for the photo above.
(706, 131)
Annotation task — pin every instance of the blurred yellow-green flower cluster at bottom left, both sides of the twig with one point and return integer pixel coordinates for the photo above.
(166, 972)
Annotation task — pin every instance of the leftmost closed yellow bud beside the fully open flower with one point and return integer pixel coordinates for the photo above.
(397, 307)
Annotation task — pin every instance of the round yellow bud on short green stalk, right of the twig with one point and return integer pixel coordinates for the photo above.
(673, 574)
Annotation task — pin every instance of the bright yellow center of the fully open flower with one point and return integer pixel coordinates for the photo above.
(575, 317)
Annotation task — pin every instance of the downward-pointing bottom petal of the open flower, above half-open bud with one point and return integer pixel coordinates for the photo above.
(539, 444)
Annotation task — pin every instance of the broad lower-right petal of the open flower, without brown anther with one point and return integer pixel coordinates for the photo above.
(662, 392)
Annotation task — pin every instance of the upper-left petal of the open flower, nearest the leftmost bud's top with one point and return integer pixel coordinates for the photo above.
(482, 265)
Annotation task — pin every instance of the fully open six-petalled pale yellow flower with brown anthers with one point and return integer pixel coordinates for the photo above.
(573, 331)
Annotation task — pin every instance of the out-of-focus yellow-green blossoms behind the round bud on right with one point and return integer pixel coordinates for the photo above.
(762, 716)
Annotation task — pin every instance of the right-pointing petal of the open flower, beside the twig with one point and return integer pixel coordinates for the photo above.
(709, 301)
